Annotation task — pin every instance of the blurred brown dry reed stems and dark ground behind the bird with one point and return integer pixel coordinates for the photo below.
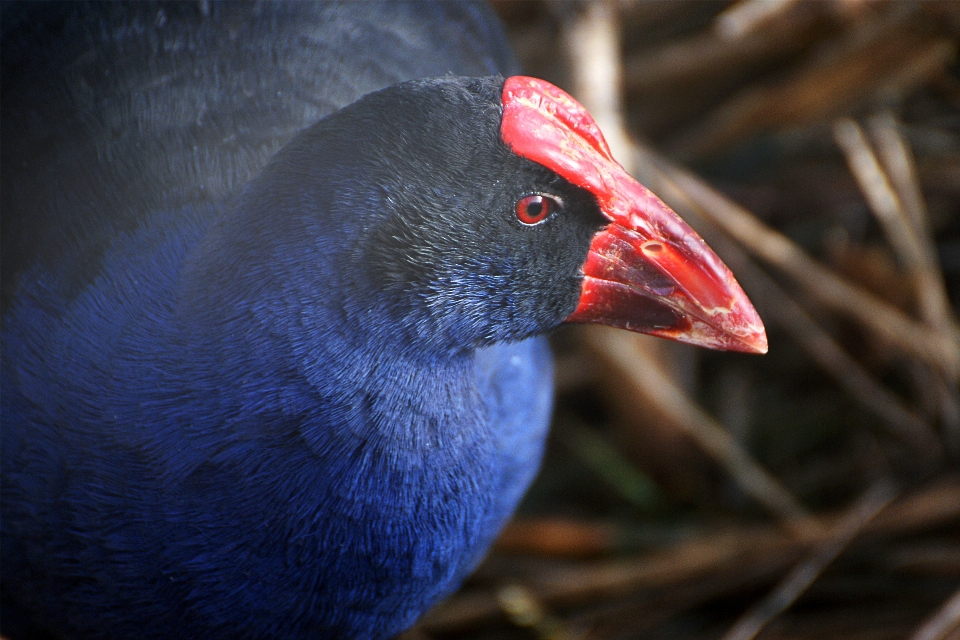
(809, 493)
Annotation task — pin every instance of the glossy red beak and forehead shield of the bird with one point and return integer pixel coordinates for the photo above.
(647, 271)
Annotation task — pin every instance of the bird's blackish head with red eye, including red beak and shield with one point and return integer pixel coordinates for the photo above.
(484, 210)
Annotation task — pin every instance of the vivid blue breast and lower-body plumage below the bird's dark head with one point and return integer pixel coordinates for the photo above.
(132, 479)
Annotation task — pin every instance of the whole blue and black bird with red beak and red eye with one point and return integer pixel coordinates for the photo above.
(276, 284)
